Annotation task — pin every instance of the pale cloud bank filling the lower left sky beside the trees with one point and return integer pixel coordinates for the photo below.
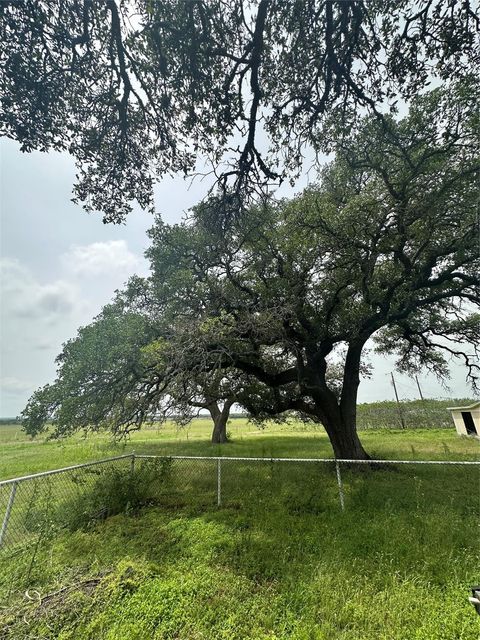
(37, 315)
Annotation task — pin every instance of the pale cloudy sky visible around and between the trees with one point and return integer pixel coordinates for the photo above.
(60, 265)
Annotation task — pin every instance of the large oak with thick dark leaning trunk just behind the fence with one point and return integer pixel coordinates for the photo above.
(384, 249)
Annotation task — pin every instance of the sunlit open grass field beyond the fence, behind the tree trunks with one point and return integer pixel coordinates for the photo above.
(20, 455)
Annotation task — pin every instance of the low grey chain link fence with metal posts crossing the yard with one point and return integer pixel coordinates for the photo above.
(34, 509)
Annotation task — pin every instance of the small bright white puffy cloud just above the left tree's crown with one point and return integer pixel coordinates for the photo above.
(102, 258)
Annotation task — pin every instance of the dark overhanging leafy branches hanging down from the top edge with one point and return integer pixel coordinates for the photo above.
(136, 89)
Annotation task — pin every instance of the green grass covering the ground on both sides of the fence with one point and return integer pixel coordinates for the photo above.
(278, 560)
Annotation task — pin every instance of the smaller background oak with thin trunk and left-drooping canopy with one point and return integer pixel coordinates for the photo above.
(124, 370)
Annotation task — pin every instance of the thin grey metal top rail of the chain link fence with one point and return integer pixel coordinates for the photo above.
(42, 474)
